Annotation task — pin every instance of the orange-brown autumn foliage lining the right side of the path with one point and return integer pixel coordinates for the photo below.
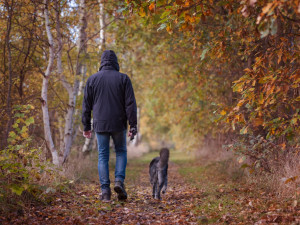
(241, 69)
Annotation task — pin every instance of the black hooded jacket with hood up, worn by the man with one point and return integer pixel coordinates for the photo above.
(109, 94)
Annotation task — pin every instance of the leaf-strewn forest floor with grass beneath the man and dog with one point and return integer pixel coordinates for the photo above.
(198, 193)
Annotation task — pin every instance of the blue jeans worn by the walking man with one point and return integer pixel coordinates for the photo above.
(119, 139)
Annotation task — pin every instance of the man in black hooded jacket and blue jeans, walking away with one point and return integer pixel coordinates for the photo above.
(109, 94)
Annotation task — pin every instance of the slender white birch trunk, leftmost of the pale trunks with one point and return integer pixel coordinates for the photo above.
(44, 95)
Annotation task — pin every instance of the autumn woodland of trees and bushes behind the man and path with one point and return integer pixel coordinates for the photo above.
(209, 76)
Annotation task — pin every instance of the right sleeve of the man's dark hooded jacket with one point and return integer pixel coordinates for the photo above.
(130, 103)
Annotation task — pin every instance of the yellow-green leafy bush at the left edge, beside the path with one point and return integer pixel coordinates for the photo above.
(20, 163)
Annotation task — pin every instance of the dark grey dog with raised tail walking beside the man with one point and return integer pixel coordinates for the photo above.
(158, 170)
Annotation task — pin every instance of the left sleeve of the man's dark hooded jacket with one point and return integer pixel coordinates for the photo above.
(87, 106)
